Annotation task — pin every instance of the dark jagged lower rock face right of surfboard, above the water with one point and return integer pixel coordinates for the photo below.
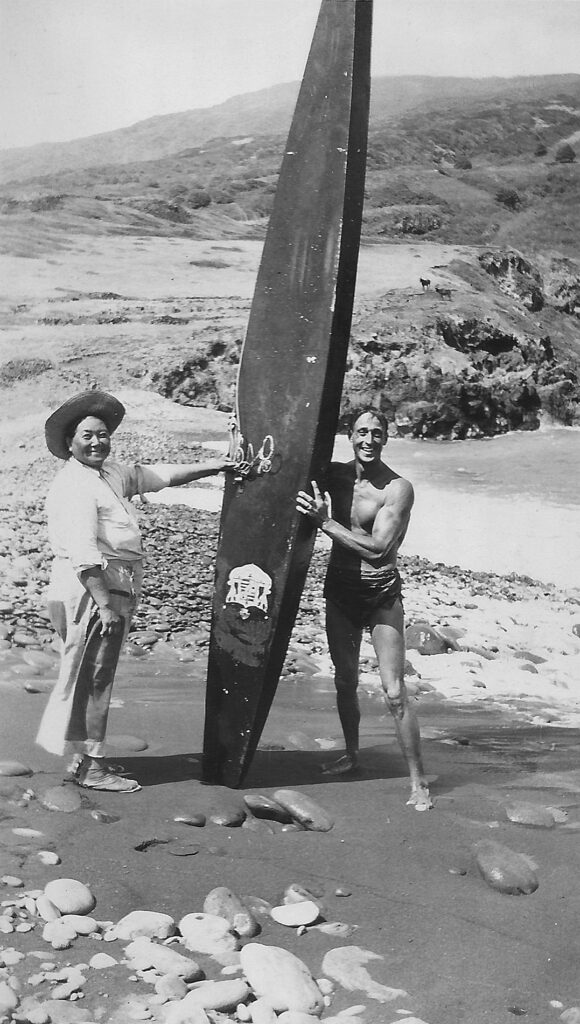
(461, 378)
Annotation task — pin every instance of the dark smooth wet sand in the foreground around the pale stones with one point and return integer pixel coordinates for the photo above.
(462, 951)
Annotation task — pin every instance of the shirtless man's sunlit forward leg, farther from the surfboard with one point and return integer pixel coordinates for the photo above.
(388, 631)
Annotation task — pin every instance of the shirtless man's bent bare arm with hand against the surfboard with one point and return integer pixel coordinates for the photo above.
(391, 523)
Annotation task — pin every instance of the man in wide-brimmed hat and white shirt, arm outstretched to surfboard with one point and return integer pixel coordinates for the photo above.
(97, 575)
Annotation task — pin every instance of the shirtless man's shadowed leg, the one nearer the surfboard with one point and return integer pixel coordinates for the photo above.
(345, 647)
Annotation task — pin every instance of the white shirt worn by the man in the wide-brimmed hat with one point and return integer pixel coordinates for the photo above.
(91, 517)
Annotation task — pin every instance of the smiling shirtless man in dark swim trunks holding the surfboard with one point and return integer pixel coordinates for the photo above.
(366, 515)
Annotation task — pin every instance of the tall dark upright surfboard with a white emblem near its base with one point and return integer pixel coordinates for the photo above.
(289, 388)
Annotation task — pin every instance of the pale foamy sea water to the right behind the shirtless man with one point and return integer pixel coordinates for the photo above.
(509, 504)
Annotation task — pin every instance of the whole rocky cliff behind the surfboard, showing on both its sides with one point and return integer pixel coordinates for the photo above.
(494, 352)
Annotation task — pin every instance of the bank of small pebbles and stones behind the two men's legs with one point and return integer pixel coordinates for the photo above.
(486, 629)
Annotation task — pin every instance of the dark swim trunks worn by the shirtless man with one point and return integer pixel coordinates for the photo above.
(360, 594)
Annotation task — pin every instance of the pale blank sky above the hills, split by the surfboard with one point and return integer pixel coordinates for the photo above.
(75, 68)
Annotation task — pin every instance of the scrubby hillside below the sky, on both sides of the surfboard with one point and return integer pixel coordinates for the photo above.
(450, 160)
